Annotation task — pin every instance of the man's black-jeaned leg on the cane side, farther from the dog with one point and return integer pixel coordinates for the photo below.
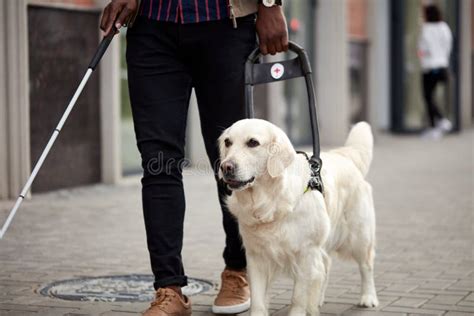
(160, 86)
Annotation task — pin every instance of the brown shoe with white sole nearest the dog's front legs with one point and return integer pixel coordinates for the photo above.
(234, 296)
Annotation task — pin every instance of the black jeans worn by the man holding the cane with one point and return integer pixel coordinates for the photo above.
(165, 61)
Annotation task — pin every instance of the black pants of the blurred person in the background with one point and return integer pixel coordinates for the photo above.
(430, 80)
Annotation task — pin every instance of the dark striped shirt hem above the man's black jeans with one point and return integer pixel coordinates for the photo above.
(185, 11)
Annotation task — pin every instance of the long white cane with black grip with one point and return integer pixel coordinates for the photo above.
(104, 44)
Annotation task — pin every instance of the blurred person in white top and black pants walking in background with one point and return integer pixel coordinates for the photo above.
(434, 50)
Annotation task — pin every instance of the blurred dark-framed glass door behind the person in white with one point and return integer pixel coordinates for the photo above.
(408, 112)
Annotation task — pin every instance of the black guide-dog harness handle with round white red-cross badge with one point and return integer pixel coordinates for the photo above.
(260, 73)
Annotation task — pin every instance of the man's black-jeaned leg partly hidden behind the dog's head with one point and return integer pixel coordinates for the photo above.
(218, 77)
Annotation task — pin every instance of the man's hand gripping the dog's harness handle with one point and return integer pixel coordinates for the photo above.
(272, 30)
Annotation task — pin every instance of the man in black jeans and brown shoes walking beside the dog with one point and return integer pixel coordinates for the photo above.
(172, 47)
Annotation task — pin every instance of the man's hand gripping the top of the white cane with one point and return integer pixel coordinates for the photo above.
(117, 12)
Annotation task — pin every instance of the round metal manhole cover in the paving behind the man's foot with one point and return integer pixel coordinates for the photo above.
(120, 288)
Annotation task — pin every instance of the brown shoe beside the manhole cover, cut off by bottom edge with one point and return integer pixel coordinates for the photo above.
(168, 302)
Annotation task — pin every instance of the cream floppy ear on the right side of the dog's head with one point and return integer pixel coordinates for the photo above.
(281, 154)
